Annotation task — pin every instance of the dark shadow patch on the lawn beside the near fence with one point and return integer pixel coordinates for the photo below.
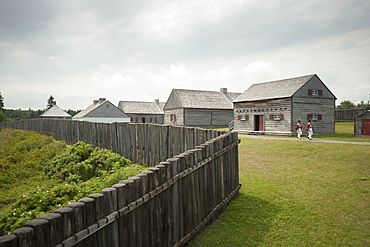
(245, 222)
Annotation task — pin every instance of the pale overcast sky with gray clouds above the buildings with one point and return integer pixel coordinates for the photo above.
(80, 50)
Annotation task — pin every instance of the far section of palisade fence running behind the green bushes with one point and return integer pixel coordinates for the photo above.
(146, 144)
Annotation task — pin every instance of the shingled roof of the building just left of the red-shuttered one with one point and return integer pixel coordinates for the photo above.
(202, 99)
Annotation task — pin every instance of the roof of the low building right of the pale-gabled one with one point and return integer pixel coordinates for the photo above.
(140, 107)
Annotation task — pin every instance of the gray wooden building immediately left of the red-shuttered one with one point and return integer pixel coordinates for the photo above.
(196, 108)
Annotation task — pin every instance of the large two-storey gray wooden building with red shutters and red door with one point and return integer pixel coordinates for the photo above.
(275, 107)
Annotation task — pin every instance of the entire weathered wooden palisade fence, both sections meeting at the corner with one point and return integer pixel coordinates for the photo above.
(193, 175)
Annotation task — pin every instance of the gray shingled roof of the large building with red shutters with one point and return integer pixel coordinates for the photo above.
(274, 89)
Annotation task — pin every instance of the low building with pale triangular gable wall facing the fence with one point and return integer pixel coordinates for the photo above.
(102, 110)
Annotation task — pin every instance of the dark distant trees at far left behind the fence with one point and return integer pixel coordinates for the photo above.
(19, 114)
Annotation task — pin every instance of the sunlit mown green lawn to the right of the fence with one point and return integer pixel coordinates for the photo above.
(298, 194)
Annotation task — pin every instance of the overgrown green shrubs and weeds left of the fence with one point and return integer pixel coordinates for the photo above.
(51, 174)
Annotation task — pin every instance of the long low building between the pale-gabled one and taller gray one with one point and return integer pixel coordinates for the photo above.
(143, 112)
